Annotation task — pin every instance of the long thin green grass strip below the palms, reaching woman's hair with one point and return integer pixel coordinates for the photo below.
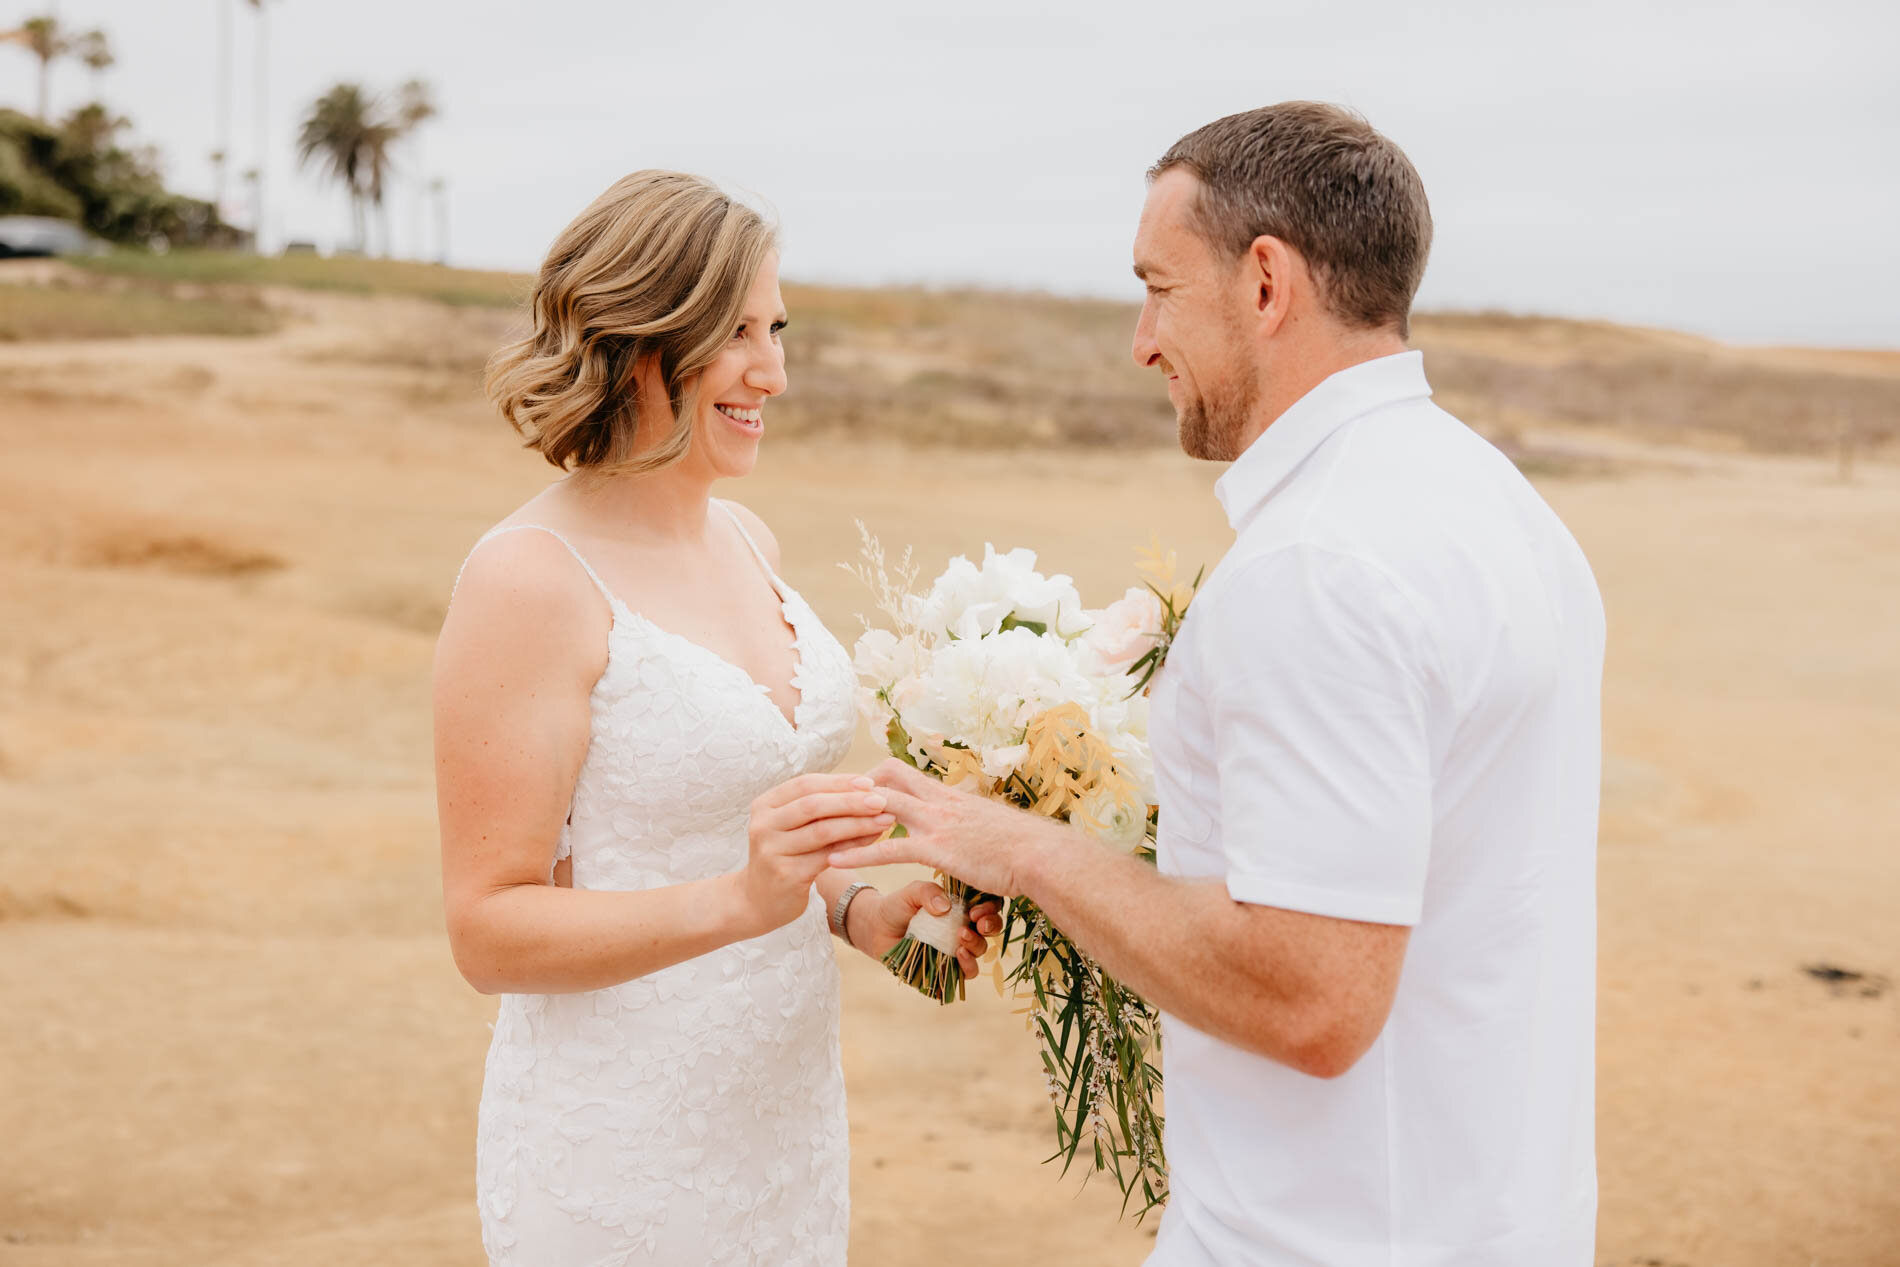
(351, 274)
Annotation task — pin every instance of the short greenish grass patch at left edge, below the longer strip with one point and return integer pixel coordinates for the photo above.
(64, 312)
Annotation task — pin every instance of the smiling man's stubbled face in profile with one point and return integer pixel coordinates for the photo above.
(1194, 322)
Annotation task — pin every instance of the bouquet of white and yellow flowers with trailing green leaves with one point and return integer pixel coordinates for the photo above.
(997, 679)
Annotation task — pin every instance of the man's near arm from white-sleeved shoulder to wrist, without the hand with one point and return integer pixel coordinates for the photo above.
(1312, 681)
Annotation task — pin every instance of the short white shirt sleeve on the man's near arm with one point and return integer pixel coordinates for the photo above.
(1321, 671)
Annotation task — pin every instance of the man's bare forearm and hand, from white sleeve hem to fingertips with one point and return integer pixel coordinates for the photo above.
(1306, 991)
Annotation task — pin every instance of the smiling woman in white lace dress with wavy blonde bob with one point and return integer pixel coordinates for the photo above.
(634, 721)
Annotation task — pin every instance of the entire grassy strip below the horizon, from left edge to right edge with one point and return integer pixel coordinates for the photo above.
(1002, 371)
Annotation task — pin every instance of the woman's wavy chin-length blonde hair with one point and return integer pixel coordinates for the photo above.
(658, 267)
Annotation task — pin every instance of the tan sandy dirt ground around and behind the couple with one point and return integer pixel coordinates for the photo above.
(233, 1031)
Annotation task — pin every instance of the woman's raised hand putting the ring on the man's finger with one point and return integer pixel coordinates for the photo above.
(793, 831)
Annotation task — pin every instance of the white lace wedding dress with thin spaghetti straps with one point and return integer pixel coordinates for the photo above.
(694, 1116)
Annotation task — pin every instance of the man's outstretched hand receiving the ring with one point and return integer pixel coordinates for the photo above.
(981, 842)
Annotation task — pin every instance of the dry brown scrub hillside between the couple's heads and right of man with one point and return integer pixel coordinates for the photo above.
(1025, 369)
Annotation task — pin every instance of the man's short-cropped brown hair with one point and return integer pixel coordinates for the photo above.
(1329, 185)
